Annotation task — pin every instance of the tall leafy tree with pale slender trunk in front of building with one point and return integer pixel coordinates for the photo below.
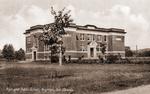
(53, 32)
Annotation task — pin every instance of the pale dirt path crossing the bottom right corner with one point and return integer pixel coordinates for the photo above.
(137, 90)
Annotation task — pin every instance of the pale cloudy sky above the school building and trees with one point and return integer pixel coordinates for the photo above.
(16, 16)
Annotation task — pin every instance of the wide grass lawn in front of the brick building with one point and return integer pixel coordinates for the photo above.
(31, 78)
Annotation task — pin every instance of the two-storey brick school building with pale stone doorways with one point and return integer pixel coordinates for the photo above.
(79, 41)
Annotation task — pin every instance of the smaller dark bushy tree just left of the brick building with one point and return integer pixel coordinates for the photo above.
(20, 54)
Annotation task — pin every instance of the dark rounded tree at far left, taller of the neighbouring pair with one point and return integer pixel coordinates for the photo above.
(8, 52)
